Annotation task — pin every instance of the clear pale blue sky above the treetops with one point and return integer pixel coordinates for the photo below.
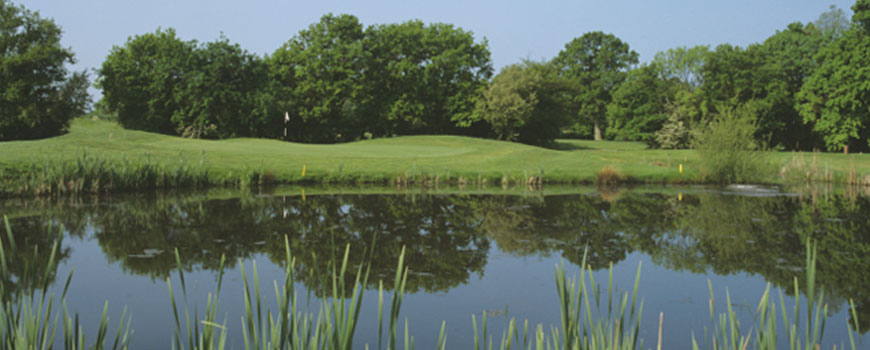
(515, 29)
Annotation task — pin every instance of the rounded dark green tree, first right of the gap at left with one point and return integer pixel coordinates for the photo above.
(144, 80)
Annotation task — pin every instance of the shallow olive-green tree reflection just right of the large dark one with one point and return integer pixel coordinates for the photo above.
(570, 224)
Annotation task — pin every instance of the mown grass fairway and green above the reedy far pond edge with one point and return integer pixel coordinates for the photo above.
(412, 158)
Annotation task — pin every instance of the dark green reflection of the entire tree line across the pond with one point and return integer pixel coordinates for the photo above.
(448, 237)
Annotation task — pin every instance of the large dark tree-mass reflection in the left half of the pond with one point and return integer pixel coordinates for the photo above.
(443, 244)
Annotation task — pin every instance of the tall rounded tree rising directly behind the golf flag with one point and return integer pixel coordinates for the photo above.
(318, 75)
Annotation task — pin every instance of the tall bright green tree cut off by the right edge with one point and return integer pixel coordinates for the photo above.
(835, 99)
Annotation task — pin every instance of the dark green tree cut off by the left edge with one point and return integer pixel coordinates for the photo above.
(38, 95)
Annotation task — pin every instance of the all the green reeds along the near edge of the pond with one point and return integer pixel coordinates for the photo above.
(592, 316)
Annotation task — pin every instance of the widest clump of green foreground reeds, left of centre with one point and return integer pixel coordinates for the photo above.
(290, 327)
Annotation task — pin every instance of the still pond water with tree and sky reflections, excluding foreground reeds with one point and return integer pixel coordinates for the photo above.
(467, 253)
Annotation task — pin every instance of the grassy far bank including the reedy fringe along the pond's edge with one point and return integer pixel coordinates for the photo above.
(100, 156)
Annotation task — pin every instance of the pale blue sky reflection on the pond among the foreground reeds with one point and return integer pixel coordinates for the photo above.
(524, 285)
